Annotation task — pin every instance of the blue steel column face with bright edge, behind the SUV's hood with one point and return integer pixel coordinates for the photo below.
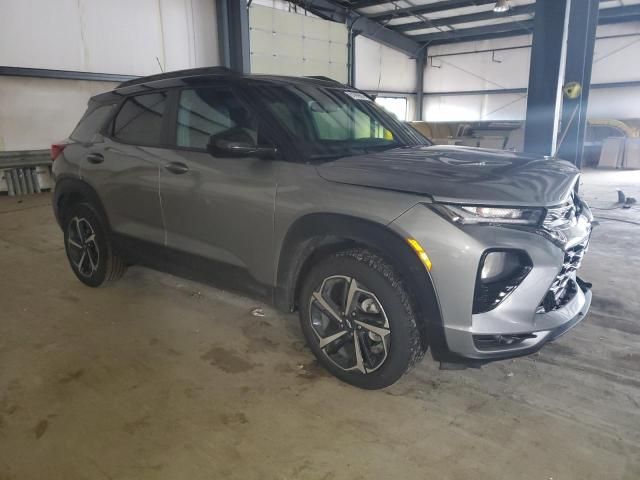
(546, 74)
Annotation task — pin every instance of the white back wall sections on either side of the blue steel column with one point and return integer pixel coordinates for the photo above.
(614, 61)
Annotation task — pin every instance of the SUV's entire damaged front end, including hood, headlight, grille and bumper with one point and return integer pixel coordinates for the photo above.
(502, 234)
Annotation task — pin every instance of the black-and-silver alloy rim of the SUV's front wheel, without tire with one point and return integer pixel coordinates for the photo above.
(350, 324)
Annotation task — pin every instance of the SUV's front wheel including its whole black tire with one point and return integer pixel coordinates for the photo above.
(382, 287)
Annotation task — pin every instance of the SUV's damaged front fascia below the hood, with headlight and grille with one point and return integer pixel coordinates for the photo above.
(506, 278)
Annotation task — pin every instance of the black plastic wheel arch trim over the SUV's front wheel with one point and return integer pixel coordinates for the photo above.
(316, 235)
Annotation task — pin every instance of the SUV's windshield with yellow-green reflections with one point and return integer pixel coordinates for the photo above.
(333, 122)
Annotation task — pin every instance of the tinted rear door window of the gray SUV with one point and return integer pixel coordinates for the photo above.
(139, 120)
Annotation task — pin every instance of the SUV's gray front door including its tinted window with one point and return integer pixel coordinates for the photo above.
(218, 206)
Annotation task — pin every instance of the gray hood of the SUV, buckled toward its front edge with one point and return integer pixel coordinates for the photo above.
(459, 175)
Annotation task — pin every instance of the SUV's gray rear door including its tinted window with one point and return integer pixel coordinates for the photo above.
(124, 167)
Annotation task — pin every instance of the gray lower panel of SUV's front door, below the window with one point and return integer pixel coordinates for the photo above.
(222, 209)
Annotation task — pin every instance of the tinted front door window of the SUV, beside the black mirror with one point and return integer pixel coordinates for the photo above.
(207, 114)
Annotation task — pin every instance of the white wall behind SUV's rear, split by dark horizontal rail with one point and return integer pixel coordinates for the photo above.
(115, 36)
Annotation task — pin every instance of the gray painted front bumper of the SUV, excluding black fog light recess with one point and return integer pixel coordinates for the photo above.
(455, 254)
